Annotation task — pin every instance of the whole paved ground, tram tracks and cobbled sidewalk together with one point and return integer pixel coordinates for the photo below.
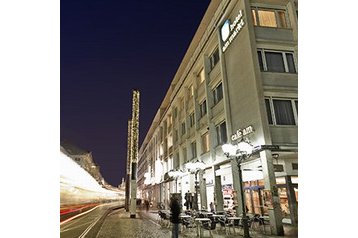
(109, 221)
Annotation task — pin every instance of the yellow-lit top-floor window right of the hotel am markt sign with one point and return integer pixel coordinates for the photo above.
(269, 17)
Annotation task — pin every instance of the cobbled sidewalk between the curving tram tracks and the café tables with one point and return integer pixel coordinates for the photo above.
(146, 224)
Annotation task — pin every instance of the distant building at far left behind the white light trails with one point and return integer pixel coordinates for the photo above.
(83, 158)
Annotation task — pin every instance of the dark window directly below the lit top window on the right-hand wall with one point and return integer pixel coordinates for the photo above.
(276, 61)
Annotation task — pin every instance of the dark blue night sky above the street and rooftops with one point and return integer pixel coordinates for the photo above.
(109, 48)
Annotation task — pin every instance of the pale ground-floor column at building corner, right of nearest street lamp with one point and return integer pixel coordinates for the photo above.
(274, 211)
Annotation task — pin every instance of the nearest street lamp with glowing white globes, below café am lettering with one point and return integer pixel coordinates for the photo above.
(240, 152)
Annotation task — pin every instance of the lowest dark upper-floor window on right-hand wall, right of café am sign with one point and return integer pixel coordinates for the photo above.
(281, 111)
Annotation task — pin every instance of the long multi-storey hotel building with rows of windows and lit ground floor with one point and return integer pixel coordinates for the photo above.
(238, 80)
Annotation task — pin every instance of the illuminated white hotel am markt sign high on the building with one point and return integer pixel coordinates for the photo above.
(230, 30)
